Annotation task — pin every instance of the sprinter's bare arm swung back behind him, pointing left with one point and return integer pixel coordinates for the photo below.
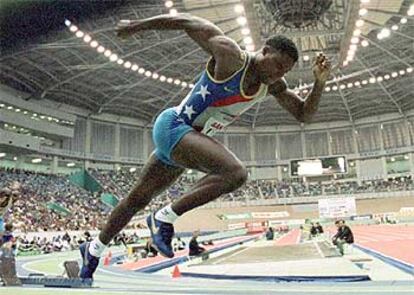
(205, 33)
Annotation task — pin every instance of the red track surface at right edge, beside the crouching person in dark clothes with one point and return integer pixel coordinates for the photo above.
(395, 241)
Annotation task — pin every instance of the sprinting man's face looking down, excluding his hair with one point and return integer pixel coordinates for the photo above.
(274, 65)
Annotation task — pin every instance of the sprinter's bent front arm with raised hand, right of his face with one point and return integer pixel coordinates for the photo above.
(303, 110)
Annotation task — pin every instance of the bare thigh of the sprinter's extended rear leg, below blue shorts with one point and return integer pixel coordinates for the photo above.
(156, 176)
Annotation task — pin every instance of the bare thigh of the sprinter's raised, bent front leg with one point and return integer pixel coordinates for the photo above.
(198, 151)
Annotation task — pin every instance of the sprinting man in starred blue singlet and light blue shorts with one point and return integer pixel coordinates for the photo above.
(233, 81)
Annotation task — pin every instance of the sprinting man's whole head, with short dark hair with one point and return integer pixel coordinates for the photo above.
(278, 56)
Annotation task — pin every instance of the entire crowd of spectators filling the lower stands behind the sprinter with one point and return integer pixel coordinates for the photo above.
(31, 213)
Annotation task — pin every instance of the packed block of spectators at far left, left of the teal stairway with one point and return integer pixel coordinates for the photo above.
(30, 212)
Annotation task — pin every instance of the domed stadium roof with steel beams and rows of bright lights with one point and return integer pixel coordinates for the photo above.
(42, 56)
